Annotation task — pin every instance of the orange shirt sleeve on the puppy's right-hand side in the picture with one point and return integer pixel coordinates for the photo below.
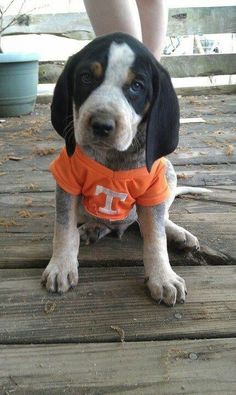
(158, 190)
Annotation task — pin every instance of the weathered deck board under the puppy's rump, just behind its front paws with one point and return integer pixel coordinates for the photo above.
(27, 220)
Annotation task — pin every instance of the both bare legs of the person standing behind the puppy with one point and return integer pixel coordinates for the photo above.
(146, 20)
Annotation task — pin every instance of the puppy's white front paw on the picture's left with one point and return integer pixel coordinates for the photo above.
(59, 276)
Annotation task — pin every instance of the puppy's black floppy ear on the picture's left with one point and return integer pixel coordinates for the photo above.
(61, 108)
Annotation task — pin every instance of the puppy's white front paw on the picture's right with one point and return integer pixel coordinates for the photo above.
(168, 288)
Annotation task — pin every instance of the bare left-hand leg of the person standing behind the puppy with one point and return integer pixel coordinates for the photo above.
(107, 16)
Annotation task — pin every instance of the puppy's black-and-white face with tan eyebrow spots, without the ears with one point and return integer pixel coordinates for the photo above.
(112, 91)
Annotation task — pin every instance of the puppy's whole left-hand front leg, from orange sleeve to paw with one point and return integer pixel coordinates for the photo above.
(62, 271)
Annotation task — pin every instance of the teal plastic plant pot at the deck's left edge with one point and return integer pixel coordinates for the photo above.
(18, 83)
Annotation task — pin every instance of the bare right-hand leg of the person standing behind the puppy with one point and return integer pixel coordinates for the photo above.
(154, 20)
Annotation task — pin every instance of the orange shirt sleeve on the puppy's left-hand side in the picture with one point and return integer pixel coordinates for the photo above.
(62, 170)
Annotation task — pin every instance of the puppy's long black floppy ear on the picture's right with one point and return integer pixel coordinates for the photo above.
(163, 119)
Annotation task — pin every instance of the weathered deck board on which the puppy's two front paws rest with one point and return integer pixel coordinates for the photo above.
(115, 297)
